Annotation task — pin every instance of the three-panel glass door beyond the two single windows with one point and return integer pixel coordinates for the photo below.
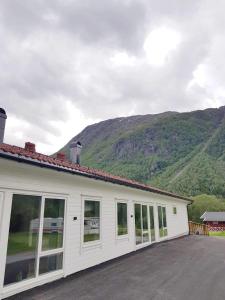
(144, 223)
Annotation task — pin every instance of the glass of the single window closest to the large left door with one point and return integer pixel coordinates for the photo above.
(91, 221)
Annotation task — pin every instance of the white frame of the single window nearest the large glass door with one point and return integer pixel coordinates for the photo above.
(97, 243)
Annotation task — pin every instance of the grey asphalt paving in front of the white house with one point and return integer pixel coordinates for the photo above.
(190, 268)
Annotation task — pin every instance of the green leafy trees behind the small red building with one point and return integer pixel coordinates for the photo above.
(204, 203)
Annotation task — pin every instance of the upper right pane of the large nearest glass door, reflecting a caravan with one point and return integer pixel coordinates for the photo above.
(53, 224)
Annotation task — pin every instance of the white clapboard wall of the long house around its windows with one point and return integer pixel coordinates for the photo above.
(17, 177)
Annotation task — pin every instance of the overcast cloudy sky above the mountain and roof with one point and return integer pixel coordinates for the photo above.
(65, 64)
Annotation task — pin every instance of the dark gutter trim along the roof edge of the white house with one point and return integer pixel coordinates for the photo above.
(93, 176)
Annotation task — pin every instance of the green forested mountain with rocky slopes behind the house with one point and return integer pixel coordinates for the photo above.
(180, 152)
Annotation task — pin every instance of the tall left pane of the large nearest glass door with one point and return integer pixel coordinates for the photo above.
(23, 238)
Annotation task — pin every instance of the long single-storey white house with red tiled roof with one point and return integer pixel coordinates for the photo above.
(57, 218)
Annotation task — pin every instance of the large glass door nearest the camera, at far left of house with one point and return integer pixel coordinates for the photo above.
(35, 242)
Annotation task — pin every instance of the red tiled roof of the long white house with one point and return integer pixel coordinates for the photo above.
(26, 156)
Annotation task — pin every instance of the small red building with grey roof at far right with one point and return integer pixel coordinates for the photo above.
(215, 220)
